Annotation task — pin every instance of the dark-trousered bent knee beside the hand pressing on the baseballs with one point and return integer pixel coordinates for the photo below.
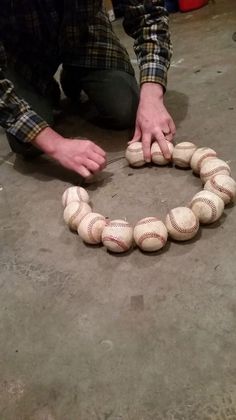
(114, 93)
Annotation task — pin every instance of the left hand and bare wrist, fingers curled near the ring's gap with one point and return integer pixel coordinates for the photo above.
(81, 156)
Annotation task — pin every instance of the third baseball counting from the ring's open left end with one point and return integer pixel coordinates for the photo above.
(91, 227)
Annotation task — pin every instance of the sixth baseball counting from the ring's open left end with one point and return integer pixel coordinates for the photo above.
(182, 224)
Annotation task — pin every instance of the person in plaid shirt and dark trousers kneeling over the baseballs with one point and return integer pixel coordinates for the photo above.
(37, 36)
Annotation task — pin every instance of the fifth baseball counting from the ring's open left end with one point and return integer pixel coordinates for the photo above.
(150, 234)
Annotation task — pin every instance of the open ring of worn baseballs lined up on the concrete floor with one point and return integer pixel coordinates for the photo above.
(150, 233)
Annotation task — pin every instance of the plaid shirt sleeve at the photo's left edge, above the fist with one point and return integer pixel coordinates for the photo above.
(16, 116)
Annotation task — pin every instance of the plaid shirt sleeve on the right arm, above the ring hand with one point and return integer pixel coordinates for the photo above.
(147, 22)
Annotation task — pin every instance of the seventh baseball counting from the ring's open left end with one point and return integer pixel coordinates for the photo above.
(207, 206)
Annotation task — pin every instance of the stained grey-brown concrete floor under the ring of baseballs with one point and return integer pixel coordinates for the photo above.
(86, 335)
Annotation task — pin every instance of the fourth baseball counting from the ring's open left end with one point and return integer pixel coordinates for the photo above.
(117, 236)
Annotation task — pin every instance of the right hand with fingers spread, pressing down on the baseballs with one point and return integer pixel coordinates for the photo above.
(153, 122)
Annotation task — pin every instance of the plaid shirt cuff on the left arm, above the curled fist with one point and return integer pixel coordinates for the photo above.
(27, 127)
